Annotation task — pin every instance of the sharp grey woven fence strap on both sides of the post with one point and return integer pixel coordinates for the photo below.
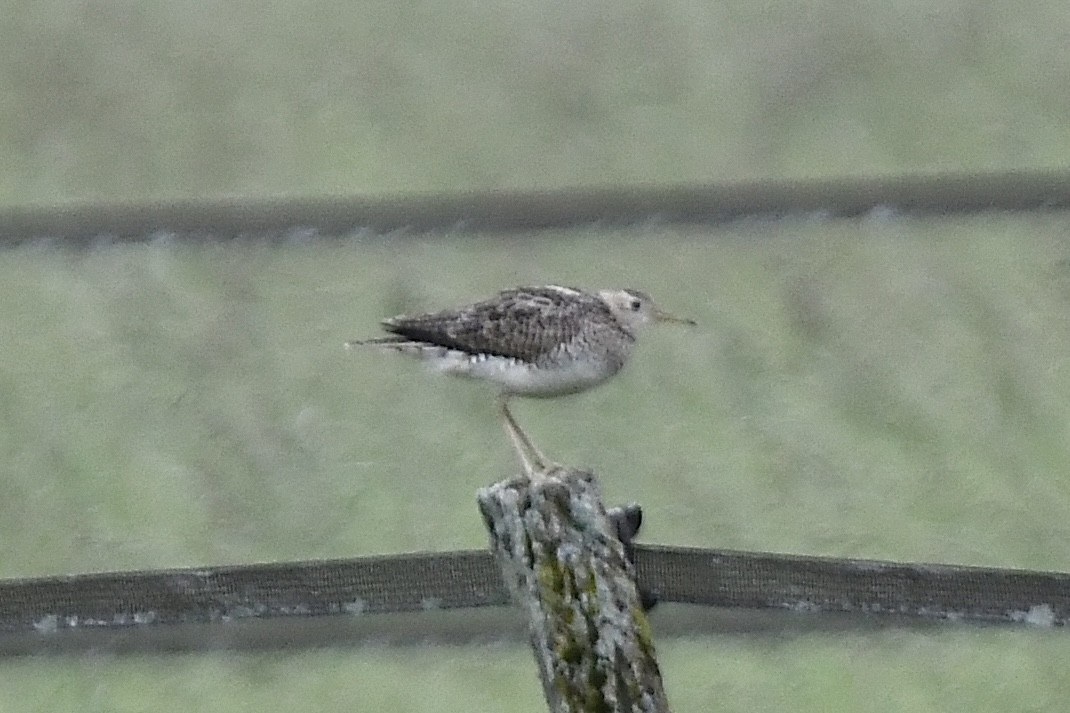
(437, 582)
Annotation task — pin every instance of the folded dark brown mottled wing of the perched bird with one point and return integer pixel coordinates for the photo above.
(524, 324)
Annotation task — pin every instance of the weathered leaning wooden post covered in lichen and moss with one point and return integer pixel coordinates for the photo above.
(567, 569)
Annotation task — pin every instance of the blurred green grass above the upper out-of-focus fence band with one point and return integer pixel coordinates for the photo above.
(162, 100)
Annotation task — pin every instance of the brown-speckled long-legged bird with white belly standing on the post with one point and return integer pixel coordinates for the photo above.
(530, 342)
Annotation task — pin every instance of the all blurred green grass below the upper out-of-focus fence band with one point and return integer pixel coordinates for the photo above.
(885, 388)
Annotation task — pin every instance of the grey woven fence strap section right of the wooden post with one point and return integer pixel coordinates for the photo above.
(828, 585)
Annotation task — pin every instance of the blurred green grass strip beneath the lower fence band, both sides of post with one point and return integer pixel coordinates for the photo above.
(980, 671)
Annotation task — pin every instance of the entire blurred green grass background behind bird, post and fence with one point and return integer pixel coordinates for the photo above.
(884, 388)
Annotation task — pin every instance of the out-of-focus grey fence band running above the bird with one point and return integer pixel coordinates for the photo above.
(296, 219)
